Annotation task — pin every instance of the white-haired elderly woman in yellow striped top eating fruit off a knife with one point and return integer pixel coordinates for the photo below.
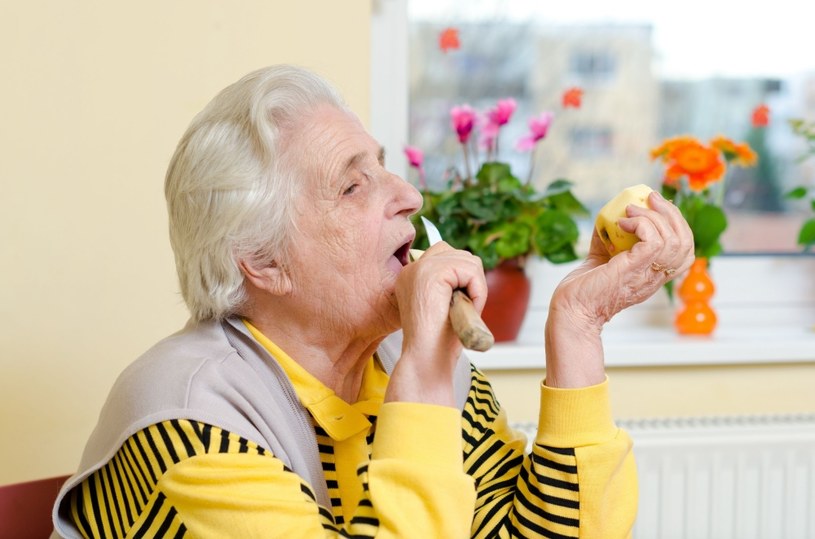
(318, 389)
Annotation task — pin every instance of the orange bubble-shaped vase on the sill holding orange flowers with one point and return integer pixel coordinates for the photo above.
(696, 317)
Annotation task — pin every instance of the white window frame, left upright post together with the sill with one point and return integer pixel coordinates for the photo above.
(765, 303)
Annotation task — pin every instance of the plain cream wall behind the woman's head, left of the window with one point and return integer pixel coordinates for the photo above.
(95, 95)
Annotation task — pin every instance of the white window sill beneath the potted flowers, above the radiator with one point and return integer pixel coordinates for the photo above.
(765, 306)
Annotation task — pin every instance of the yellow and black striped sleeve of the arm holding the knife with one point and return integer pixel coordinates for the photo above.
(181, 478)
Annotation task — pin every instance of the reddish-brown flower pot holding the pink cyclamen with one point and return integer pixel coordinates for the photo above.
(509, 290)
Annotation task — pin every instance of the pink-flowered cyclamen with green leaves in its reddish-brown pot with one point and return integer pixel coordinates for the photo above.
(497, 216)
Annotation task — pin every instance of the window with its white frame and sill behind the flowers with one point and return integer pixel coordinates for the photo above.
(773, 322)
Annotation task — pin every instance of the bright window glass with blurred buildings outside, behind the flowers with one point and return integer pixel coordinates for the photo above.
(648, 73)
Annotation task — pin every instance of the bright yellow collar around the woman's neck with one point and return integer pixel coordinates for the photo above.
(339, 419)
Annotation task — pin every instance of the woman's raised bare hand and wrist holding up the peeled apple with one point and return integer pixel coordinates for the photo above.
(602, 286)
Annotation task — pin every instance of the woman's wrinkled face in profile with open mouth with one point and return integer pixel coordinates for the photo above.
(353, 230)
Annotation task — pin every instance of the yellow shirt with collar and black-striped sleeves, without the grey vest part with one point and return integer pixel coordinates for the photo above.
(429, 471)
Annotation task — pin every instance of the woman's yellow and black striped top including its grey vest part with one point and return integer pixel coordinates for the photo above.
(379, 470)
